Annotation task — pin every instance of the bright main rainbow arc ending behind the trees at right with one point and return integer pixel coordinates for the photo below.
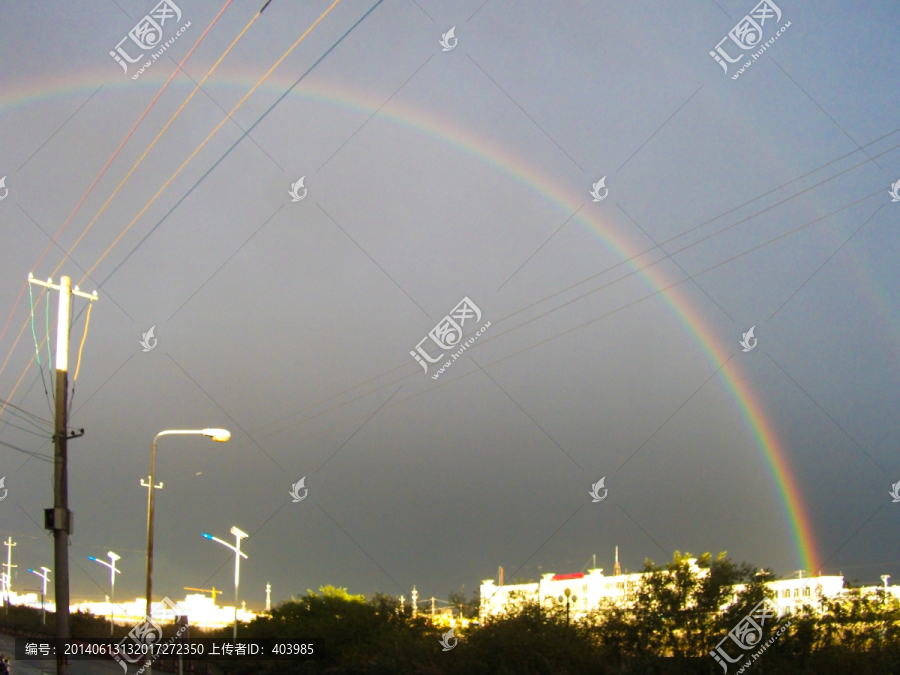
(462, 139)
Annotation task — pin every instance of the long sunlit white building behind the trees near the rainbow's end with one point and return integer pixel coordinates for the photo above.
(587, 591)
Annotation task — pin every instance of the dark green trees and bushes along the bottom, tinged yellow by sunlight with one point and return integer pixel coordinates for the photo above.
(672, 625)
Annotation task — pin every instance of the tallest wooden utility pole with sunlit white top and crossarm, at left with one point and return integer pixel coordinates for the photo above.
(59, 518)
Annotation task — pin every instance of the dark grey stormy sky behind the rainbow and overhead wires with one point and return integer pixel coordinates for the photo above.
(433, 175)
